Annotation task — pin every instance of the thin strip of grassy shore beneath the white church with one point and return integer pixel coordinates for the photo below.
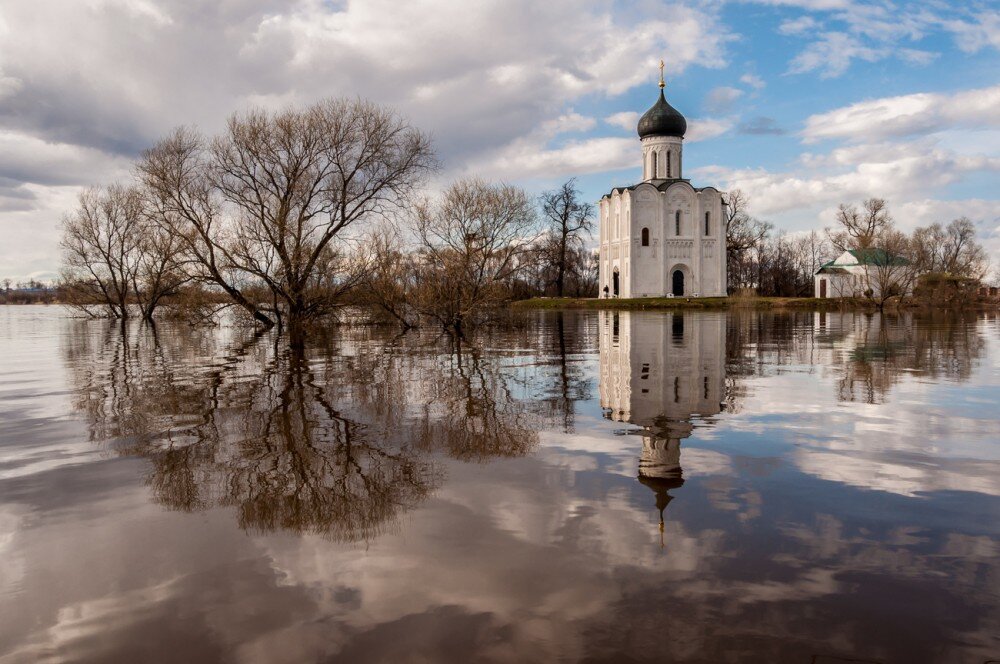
(653, 303)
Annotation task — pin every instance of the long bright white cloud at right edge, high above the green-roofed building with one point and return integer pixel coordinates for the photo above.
(906, 115)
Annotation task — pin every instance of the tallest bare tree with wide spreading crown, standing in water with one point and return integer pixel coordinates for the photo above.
(270, 202)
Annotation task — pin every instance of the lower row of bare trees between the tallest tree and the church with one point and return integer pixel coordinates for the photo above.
(477, 246)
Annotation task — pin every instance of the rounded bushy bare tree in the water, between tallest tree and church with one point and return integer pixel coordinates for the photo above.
(470, 239)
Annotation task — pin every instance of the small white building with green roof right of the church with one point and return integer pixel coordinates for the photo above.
(857, 271)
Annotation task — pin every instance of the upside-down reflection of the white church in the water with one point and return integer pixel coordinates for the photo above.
(658, 372)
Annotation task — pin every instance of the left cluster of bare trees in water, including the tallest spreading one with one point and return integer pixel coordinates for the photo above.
(262, 214)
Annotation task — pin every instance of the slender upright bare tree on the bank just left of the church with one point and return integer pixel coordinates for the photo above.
(567, 219)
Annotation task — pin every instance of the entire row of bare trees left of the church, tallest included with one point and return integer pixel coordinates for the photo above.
(290, 215)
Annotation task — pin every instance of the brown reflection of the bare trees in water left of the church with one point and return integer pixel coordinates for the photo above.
(339, 439)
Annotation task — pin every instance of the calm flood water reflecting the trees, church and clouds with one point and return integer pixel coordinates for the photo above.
(696, 487)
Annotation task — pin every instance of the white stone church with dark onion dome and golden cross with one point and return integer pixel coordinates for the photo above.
(662, 237)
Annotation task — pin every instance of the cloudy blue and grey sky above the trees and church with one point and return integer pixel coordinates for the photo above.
(802, 104)
